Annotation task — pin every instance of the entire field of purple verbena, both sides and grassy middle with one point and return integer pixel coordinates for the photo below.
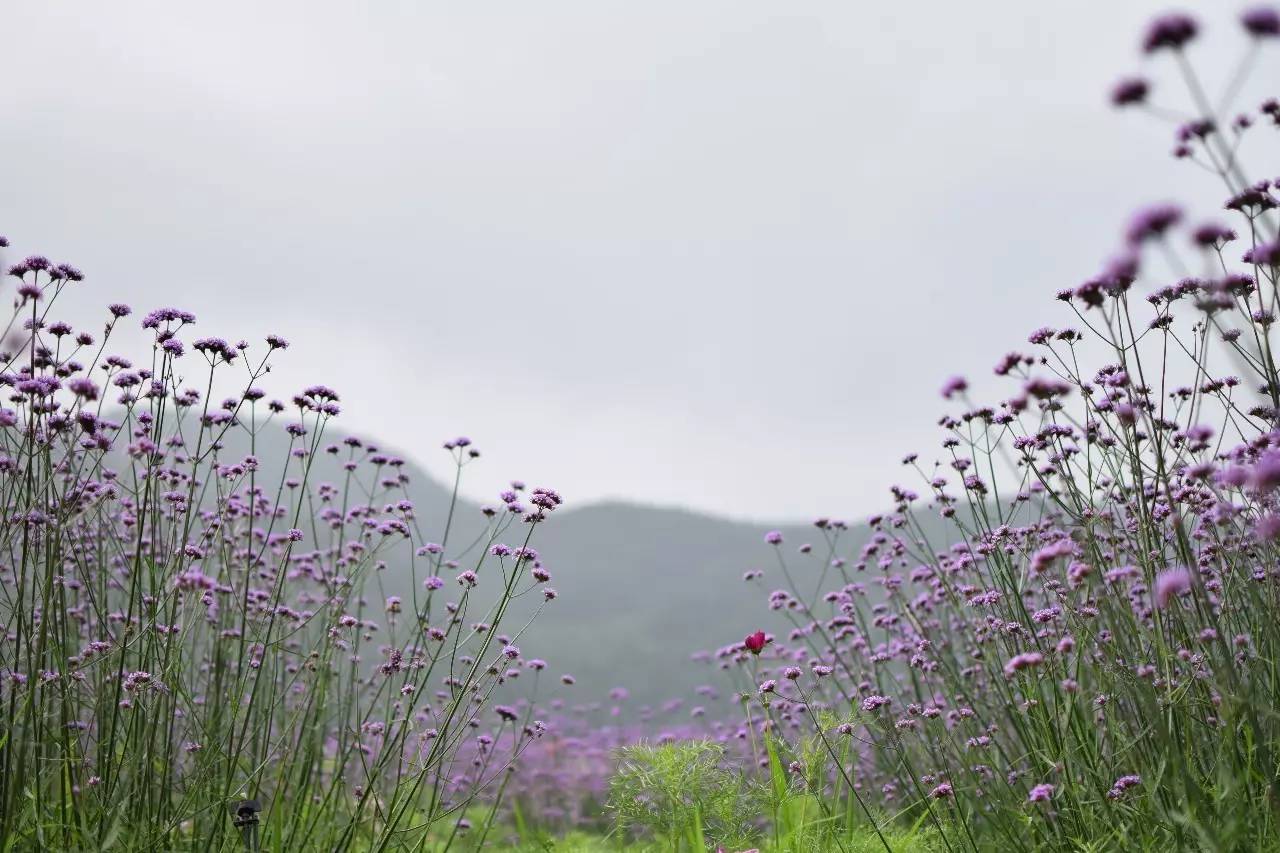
(230, 627)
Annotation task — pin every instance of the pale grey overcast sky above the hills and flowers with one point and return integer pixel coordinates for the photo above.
(715, 254)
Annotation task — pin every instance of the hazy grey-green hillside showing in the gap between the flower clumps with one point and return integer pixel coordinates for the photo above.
(643, 589)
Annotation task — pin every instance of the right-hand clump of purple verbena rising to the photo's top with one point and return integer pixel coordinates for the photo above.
(1084, 653)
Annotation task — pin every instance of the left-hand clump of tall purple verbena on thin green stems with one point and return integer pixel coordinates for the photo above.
(189, 658)
